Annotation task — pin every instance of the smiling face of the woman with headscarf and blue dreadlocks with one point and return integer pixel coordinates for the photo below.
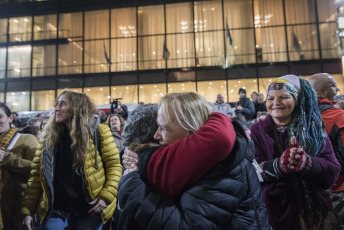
(280, 105)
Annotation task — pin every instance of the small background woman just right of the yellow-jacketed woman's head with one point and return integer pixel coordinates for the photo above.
(116, 124)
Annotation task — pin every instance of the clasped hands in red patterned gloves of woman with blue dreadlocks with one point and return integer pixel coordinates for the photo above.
(294, 159)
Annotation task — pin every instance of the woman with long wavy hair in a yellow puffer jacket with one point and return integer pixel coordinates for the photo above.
(75, 171)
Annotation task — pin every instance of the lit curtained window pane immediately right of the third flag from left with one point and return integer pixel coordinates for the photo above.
(242, 49)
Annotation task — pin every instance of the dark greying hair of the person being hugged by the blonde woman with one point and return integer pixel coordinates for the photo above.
(141, 125)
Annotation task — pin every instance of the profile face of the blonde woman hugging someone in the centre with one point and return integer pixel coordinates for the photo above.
(168, 134)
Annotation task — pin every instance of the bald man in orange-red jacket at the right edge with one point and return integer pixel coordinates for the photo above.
(325, 86)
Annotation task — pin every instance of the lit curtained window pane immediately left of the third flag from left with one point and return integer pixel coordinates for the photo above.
(209, 48)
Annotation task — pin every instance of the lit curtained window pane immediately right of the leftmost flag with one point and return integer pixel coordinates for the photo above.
(123, 54)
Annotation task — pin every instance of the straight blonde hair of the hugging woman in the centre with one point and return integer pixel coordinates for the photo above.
(189, 109)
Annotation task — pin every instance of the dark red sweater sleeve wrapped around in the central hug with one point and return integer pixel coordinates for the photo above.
(173, 167)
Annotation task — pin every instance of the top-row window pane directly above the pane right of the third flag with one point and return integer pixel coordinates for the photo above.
(238, 13)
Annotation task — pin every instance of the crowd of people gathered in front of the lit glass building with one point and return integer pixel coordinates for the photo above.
(184, 163)
